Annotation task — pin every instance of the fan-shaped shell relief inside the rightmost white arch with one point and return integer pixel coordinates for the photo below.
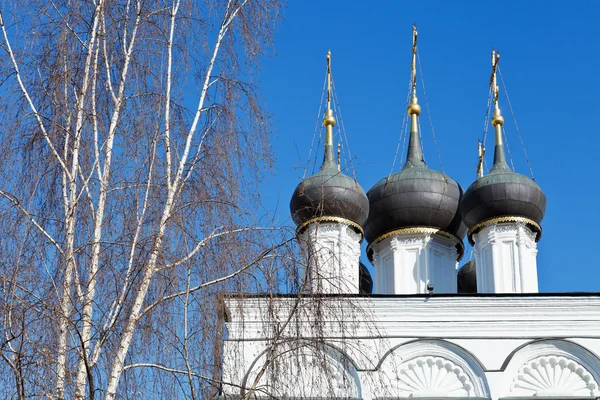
(553, 376)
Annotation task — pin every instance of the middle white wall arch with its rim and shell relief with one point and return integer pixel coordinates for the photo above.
(431, 368)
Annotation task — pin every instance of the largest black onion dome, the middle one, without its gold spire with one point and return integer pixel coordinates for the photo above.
(417, 196)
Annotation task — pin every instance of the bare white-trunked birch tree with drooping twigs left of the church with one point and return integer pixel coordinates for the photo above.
(133, 143)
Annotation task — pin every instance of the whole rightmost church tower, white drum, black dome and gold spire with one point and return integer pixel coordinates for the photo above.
(503, 211)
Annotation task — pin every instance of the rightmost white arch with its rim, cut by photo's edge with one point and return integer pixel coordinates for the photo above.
(552, 368)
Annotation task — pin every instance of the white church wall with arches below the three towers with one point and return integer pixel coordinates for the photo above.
(491, 346)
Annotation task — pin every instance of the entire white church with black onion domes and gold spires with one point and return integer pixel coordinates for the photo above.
(420, 327)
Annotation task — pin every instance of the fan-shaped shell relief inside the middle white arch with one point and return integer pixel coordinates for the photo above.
(429, 376)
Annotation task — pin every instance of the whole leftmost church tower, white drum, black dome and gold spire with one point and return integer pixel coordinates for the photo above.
(330, 209)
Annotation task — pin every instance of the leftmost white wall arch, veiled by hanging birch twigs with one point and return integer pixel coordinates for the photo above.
(304, 369)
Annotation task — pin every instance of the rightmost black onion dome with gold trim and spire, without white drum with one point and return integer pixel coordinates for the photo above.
(502, 195)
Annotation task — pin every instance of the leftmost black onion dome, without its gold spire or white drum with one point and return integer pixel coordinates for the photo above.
(329, 193)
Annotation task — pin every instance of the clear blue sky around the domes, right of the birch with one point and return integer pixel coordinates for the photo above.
(550, 64)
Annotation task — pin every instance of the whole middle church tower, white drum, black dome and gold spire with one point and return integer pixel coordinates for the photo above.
(414, 229)
